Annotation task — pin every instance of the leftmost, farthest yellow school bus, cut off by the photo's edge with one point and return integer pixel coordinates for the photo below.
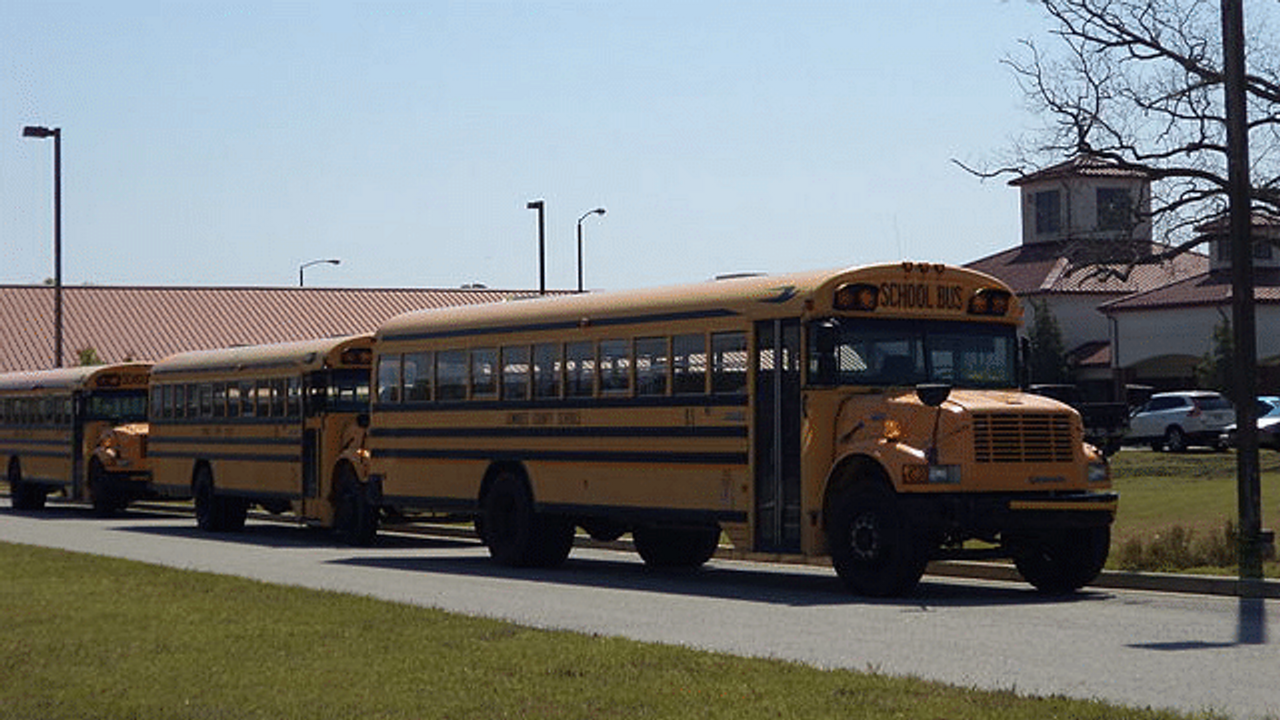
(51, 429)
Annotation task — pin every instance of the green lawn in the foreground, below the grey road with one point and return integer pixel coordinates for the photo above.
(93, 637)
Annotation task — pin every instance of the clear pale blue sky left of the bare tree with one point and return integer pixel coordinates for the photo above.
(227, 144)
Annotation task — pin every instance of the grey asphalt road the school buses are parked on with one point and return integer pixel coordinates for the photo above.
(1140, 649)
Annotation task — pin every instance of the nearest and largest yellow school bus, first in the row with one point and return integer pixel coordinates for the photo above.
(871, 414)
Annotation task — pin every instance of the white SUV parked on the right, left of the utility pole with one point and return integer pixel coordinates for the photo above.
(1176, 421)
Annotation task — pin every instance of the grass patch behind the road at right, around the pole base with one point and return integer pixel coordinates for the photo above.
(1169, 500)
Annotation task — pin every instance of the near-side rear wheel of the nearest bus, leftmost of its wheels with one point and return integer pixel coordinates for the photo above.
(516, 535)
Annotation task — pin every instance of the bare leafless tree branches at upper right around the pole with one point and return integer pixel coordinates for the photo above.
(1140, 84)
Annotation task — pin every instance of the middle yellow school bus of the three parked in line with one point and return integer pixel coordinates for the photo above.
(275, 426)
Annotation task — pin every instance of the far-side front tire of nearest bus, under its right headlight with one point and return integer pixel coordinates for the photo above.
(1063, 562)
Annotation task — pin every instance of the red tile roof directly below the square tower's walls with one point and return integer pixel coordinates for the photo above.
(1043, 268)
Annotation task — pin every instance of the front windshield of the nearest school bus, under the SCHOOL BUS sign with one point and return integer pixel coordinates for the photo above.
(904, 353)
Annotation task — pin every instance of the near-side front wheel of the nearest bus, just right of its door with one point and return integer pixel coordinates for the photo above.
(874, 549)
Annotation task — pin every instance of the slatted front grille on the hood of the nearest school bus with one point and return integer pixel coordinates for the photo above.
(1023, 438)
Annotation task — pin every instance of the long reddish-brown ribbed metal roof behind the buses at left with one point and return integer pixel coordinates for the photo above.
(149, 323)
